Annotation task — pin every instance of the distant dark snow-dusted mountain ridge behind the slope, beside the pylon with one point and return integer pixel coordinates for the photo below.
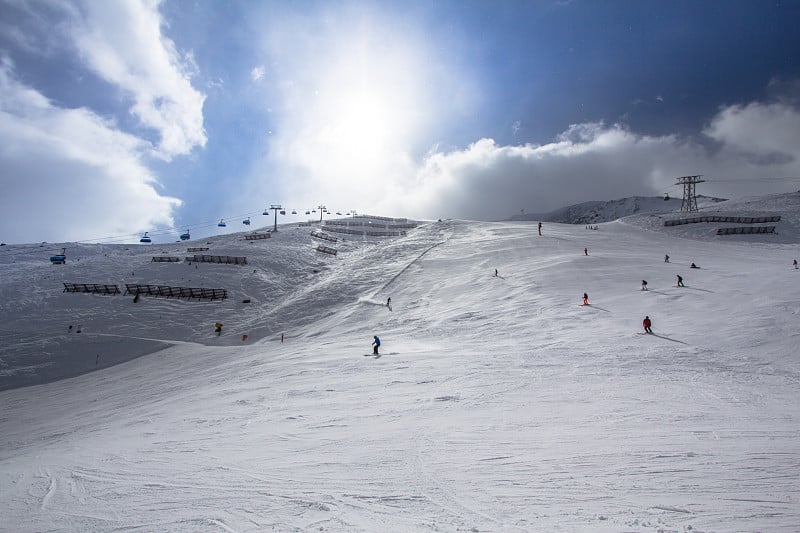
(597, 212)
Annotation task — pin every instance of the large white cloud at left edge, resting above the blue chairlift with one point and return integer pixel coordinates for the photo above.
(72, 167)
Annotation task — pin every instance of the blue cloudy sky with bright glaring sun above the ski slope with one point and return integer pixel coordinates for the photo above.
(137, 115)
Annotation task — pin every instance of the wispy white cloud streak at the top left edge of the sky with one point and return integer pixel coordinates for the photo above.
(121, 41)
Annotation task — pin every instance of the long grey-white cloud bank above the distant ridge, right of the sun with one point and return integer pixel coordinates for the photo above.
(598, 162)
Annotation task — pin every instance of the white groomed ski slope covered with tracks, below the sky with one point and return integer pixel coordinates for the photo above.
(496, 404)
